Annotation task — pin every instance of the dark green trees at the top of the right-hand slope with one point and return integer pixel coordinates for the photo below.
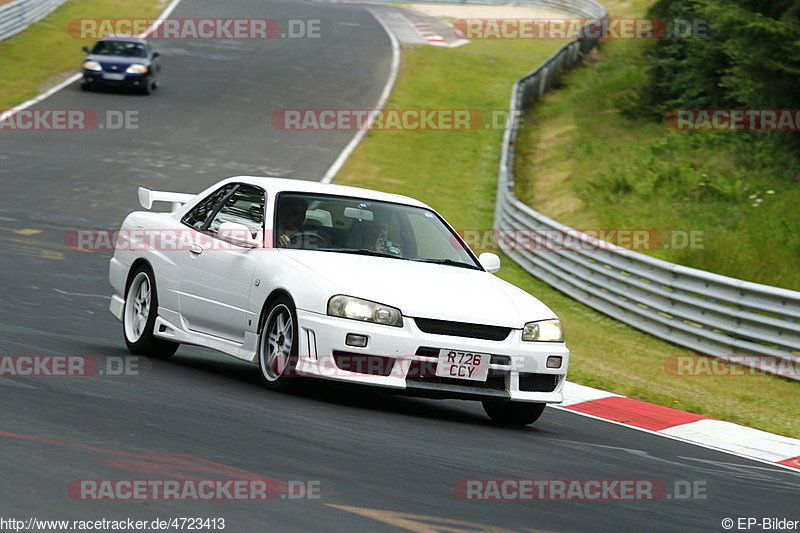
(751, 58)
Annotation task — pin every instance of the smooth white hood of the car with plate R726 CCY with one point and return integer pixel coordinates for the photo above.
(424, 289)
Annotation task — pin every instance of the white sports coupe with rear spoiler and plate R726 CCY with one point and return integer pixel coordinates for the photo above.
(314, 280)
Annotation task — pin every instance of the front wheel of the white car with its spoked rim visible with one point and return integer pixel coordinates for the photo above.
(276, 366)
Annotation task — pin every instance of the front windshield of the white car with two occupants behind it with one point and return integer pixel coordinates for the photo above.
(367, 227)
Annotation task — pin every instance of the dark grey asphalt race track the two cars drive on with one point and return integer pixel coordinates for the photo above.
(382, 463)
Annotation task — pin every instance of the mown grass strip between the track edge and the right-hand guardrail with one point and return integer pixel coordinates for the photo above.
(456, 173)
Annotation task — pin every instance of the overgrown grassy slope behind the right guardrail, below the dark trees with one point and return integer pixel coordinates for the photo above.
(584, 160)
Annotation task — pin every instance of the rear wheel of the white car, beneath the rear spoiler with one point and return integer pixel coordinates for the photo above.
(139, 316)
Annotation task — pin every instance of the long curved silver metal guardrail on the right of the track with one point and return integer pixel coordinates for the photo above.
(712, 314)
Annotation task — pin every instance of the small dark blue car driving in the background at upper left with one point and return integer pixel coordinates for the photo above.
(121, 62)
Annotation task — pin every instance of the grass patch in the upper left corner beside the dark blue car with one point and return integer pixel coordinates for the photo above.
(45, 54)
